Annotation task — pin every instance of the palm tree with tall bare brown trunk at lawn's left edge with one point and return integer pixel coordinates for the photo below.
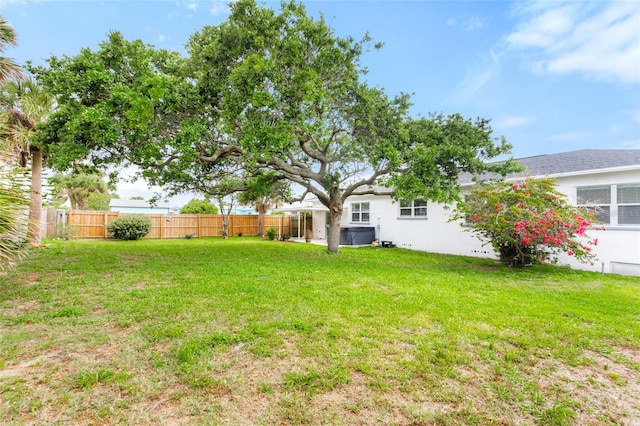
(23, 104)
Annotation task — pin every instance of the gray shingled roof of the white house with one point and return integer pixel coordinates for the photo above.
(574, 161)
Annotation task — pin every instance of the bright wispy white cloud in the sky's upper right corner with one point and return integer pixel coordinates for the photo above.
(599, 39)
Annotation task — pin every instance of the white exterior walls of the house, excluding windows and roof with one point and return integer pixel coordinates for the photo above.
(618, 248)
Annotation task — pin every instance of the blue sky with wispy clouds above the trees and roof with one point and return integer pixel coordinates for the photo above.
(553, 76)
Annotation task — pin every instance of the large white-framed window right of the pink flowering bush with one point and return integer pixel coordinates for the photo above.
(613, 204)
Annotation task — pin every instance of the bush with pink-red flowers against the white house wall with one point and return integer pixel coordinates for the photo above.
(528, 222)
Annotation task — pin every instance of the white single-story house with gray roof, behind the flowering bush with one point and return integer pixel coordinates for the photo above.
(609, 179)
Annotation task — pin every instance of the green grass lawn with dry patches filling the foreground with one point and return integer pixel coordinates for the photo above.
(244, 331)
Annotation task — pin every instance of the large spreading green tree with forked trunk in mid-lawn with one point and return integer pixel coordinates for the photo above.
(274, 90)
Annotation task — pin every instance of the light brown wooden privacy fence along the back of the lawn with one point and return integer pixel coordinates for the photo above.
(93, 224)
